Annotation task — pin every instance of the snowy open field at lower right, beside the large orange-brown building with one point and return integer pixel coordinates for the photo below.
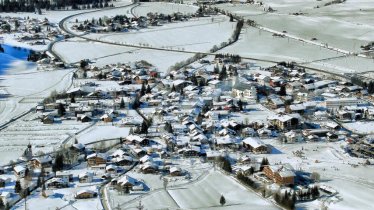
(355, 185)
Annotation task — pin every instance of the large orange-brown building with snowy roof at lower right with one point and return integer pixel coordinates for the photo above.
(280, 174)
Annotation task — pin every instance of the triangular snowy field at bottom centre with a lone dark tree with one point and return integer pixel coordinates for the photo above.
(205, 194)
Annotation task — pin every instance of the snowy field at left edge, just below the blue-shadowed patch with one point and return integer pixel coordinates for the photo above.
(21, 91)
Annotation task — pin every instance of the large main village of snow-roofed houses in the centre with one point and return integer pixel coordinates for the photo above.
(216, 111)
